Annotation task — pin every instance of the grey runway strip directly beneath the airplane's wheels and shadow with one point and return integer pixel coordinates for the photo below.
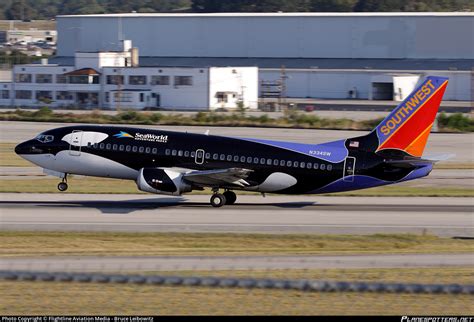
(252, 213)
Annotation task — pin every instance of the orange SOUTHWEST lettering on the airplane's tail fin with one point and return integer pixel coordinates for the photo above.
(405, 111)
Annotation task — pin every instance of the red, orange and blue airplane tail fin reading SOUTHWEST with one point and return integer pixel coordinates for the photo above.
(408, 126)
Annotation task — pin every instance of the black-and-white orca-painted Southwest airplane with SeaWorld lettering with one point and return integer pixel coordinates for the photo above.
(173, 163)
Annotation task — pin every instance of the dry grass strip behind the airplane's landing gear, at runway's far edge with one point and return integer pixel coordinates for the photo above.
(116, 186)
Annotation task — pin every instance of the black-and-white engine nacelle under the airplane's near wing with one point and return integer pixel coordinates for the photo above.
(162, 181)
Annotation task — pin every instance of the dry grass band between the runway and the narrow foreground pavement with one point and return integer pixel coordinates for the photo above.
(18, 243)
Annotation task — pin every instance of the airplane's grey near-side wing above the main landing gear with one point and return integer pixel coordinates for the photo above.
(221, 177)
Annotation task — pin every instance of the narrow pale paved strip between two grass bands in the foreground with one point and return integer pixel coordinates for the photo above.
(196, 263)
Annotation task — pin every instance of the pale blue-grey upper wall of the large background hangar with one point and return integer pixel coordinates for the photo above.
(290, 35)
